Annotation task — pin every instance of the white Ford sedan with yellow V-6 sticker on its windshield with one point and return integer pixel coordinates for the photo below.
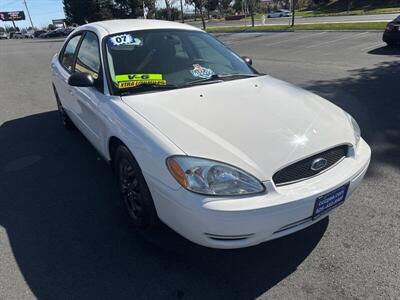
(197, 138)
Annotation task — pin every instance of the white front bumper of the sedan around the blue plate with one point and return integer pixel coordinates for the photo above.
(244, 221)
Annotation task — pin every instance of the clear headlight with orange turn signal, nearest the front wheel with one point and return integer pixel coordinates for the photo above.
(213, 178)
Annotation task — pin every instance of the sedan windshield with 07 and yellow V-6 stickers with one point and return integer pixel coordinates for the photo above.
(170, 58)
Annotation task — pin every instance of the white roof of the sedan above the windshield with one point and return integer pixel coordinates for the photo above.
(115, 26)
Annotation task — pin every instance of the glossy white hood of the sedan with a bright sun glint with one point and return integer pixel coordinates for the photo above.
(259, 124)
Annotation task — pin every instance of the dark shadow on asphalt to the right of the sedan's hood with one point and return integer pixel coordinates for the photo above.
(371, 96)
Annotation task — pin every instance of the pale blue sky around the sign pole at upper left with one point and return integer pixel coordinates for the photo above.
(42, 11)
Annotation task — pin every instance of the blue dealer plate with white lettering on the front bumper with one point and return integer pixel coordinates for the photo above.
(329, 201)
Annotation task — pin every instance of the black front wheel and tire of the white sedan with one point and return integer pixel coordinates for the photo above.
(134, 190)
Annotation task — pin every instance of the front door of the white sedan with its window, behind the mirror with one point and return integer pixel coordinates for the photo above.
(86, 102)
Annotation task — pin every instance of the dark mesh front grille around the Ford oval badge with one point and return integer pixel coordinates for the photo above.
(302, 169)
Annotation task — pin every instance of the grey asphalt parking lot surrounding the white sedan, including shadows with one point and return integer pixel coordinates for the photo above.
(64, 233)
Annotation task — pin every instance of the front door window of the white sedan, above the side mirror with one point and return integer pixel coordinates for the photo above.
(88, 59)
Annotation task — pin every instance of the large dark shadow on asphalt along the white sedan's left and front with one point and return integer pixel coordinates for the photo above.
(72, 239)
